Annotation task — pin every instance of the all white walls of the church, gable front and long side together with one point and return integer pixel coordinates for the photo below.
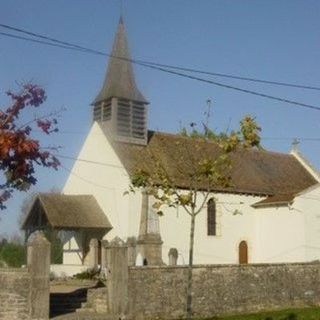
(273, 234)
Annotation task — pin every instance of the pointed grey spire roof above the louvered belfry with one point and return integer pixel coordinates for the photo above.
(120, 81)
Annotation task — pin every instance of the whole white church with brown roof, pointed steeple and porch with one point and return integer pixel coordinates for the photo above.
(269, 215)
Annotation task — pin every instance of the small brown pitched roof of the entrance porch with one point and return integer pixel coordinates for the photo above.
(67, 212)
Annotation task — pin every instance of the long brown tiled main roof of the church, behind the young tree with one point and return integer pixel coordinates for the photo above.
(252, 171)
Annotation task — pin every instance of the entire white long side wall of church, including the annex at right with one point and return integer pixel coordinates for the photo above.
(272, 234)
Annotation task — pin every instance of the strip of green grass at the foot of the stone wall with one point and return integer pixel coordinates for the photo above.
(291, 314)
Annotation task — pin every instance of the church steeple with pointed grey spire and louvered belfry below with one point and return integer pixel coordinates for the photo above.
(120, 107)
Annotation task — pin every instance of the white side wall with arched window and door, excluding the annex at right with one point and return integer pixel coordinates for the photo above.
(235, 223)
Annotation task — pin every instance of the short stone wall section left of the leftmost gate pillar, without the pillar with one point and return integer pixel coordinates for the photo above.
(14, 294)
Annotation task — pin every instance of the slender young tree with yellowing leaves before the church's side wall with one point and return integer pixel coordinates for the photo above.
(196, 164)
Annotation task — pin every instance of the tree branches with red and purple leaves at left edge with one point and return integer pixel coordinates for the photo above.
(19, 152)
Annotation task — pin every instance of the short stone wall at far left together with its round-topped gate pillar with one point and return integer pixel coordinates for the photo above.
(24, 293)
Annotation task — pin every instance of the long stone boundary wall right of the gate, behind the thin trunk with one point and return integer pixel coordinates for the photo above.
(160, 292)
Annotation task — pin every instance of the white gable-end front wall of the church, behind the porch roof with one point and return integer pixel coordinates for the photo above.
(107, 182)
